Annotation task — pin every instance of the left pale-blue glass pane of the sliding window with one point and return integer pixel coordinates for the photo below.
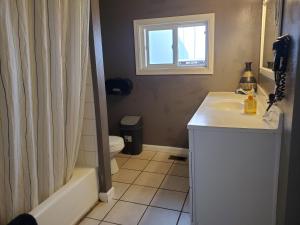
(160, 47)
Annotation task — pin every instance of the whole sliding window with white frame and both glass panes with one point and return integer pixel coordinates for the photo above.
(174, 45)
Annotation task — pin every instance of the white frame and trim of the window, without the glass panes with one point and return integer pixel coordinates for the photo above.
(141, 31)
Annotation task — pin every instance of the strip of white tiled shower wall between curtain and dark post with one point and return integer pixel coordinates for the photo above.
(87, 156)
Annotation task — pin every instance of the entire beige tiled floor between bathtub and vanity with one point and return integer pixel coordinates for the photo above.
(150, 189)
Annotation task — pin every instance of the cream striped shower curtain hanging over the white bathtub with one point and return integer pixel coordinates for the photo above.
(43, 67)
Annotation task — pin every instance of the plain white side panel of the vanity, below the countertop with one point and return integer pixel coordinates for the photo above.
(234, 177)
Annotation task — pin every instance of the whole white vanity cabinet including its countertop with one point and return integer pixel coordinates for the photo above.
(234, 163)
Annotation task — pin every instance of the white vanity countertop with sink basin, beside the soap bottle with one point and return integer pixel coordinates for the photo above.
(209, 116)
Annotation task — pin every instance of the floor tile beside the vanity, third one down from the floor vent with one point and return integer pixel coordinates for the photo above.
(169, 199)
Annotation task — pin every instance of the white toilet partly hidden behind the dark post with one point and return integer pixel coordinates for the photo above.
(116, 145)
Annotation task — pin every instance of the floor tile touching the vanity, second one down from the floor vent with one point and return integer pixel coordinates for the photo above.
(175, 183)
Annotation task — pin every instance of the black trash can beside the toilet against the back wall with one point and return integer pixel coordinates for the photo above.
(131, 128)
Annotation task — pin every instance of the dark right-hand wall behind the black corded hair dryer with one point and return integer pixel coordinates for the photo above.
(289, 182)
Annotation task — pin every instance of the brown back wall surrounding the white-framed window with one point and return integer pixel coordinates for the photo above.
(168, 102)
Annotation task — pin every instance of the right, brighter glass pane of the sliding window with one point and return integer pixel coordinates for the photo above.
(192, 46)
